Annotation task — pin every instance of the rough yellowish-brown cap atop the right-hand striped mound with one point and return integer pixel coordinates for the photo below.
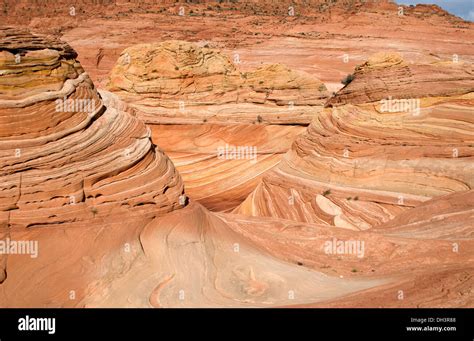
(387, 75)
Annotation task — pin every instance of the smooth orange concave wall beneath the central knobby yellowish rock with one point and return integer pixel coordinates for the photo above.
(218, 182)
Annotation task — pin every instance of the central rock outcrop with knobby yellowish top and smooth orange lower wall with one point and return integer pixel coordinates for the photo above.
(206, 104)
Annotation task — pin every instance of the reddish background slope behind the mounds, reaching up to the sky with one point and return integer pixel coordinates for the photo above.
(314, 39)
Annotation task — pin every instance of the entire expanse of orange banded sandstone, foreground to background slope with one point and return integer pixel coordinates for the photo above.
(220, 162)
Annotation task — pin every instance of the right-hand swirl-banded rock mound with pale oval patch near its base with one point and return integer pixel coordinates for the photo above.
(358, 166)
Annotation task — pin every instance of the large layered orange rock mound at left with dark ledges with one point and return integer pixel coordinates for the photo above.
(65, 156)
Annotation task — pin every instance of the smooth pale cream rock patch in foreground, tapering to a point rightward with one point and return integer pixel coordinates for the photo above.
(214, 263)
